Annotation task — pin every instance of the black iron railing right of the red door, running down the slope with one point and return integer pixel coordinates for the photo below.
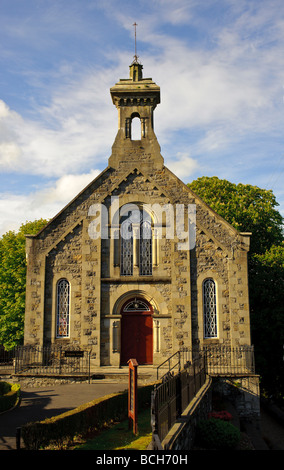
(184, 373)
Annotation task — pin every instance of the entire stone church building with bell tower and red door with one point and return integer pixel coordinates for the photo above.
(136, 265)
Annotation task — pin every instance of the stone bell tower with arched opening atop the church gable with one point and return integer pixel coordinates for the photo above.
(135, 98)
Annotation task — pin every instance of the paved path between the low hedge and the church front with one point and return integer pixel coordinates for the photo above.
(43, 402)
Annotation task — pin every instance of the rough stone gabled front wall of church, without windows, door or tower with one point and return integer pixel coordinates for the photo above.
(65, 249)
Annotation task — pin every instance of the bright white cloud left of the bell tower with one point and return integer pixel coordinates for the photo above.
(69, 135)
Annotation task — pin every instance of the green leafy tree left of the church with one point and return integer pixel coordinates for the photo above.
(13, 283)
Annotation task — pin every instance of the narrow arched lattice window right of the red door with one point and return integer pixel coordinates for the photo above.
(209, 309)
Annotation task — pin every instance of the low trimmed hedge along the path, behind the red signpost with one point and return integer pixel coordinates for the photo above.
(90, 416)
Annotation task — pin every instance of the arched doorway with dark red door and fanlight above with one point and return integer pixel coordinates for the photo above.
(137, 331)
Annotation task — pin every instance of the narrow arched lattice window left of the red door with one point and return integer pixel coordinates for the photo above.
(63, 305)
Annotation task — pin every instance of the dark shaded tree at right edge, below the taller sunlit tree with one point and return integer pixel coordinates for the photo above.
(267, 318)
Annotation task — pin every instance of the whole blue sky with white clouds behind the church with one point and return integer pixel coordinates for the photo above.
(219, 64)
